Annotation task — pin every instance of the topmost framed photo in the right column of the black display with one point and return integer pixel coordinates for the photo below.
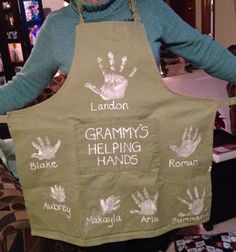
(32, 11)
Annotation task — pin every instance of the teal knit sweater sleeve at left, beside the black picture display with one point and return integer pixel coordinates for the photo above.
(35, 75)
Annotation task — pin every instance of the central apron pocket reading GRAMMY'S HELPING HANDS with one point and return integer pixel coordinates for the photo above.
(127, 145)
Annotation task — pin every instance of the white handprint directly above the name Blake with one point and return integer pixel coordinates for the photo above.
(45, 150)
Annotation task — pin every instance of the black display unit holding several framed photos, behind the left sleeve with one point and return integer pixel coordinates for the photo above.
(20, 21)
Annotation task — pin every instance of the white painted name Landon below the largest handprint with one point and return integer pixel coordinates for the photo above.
(109, 106)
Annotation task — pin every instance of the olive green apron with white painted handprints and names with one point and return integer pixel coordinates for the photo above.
(114, 155)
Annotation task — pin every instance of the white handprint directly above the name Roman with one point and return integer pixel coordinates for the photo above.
(189, 143)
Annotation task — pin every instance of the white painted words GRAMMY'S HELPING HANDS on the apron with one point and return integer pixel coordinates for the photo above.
(110, 148)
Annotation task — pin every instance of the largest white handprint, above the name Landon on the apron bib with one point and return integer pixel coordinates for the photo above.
(114, 83)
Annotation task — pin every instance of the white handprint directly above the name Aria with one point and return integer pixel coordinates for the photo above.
(144, 202)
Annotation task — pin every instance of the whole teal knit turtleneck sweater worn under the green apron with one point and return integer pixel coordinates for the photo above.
(55, 45)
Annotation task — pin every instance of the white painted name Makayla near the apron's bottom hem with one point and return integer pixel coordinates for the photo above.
(110, 221)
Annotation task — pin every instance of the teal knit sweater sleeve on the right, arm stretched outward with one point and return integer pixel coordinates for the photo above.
(198, 49)
